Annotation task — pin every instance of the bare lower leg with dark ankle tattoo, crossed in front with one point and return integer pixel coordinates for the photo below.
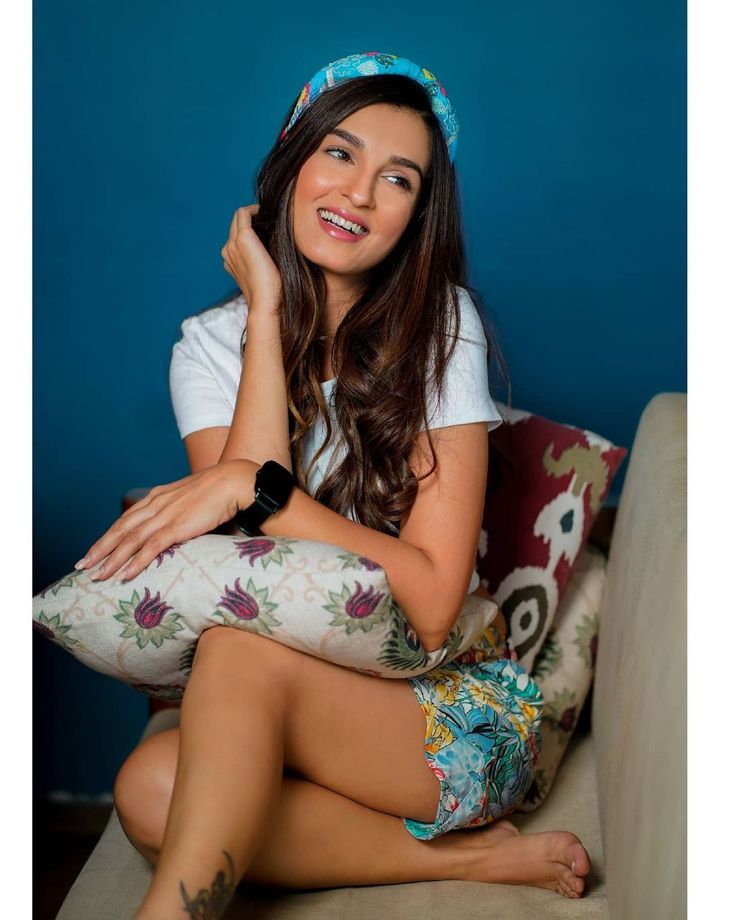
(227, 781)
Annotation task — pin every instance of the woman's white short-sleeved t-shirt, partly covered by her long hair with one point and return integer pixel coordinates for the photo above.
(206, 365)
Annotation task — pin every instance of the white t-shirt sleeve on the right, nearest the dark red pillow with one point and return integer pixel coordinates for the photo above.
(466, 396)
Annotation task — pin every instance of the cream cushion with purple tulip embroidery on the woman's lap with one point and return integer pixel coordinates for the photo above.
(311, 596)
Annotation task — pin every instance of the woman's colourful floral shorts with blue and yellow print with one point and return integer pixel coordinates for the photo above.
(483, 717)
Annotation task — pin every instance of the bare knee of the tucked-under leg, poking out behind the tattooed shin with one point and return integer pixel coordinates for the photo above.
(143, 788)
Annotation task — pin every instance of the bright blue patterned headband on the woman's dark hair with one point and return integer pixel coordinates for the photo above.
(373, 63)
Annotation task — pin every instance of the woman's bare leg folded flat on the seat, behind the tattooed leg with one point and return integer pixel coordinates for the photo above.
(320, 839)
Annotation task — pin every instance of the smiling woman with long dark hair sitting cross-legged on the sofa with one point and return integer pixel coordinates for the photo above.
(288, 770)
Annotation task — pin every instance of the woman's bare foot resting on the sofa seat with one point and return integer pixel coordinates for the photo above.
(554, 859)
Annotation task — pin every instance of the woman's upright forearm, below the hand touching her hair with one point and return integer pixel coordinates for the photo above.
(259, 429)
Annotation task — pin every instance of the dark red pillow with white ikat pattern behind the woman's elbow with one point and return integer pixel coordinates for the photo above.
(546, 483)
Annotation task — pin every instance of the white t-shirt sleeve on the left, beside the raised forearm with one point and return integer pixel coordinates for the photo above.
(205, 370)
